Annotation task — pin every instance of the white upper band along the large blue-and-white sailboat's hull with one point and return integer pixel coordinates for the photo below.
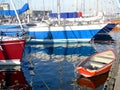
(67, 28)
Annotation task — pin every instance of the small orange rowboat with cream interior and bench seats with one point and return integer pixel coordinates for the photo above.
(96, 64)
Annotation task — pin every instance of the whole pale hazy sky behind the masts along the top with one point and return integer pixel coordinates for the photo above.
(86, 6)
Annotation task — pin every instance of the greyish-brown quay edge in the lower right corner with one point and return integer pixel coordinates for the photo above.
(113, 80)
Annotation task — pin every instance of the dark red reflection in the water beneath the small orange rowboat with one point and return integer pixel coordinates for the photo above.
(93, 83)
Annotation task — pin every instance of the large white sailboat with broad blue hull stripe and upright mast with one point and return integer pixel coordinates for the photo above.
(62, 30)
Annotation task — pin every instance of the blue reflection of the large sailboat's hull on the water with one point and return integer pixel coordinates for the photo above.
(62, 49)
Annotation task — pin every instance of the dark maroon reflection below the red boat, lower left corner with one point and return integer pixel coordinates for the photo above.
(12, 78)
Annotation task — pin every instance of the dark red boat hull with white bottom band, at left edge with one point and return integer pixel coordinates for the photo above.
(11, 50)
